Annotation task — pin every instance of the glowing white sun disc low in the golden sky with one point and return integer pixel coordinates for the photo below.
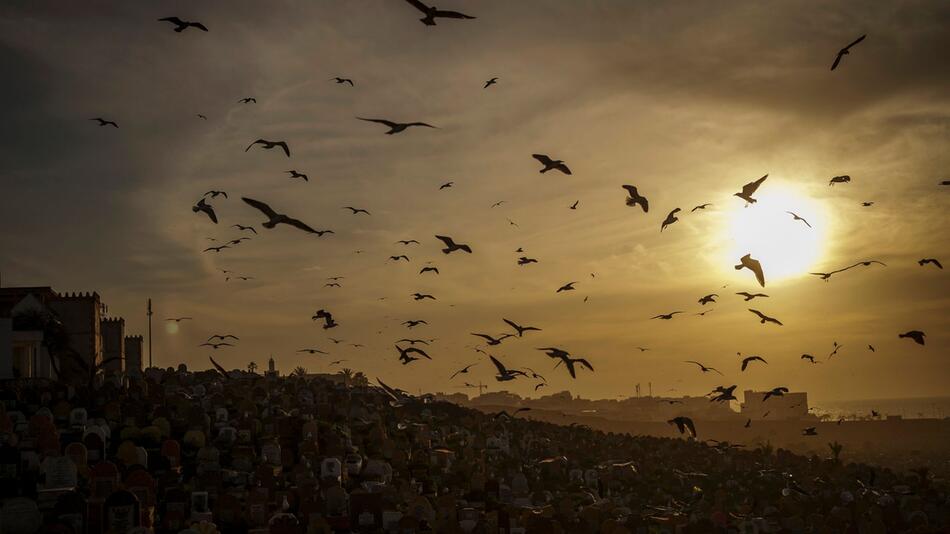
(786, 247)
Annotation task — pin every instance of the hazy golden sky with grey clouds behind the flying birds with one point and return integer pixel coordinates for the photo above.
(686, 101)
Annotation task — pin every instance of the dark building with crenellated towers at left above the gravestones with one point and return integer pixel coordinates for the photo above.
(35, 321)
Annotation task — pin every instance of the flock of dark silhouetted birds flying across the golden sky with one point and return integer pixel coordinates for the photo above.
(407, 349)
